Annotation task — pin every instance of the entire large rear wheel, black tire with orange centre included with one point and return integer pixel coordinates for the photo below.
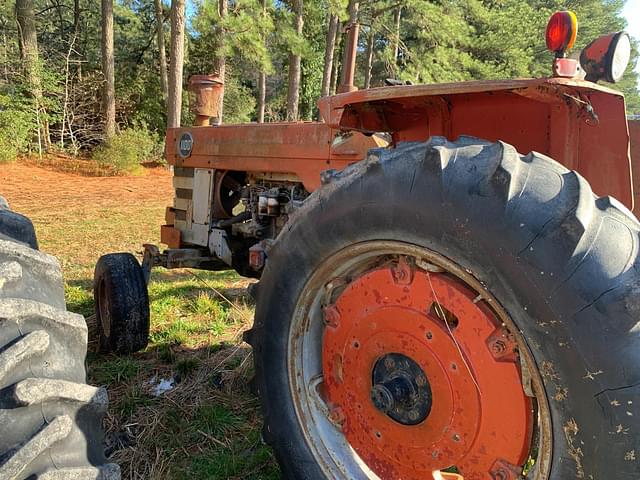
(453, 307)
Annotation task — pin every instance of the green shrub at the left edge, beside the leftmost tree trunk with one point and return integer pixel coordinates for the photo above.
(16, 128)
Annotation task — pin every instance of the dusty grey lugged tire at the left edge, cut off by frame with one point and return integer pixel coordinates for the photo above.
(51, 421)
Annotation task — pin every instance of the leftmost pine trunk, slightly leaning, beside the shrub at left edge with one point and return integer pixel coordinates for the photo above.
(28, 41)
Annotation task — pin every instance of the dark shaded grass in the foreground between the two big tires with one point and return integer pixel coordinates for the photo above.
(206, 425)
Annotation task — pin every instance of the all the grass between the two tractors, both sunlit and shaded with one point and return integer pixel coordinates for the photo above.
(208, 425)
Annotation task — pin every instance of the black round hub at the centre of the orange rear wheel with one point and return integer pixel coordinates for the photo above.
(400, 389)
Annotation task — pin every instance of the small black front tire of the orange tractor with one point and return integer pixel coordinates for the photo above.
(122, 304)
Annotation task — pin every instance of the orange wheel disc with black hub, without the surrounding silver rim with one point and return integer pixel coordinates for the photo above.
(425, 326)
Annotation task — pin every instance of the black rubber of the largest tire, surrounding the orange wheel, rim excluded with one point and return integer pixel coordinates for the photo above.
(562, 262)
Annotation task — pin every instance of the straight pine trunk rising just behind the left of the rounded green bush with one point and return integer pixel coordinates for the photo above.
(108, 70)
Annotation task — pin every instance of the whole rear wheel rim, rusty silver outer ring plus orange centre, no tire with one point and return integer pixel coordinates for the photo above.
(450, 393)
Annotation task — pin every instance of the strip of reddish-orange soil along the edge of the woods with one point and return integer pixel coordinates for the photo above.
(29, 188)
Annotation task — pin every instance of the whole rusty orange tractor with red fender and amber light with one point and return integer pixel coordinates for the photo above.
(432, 303)
